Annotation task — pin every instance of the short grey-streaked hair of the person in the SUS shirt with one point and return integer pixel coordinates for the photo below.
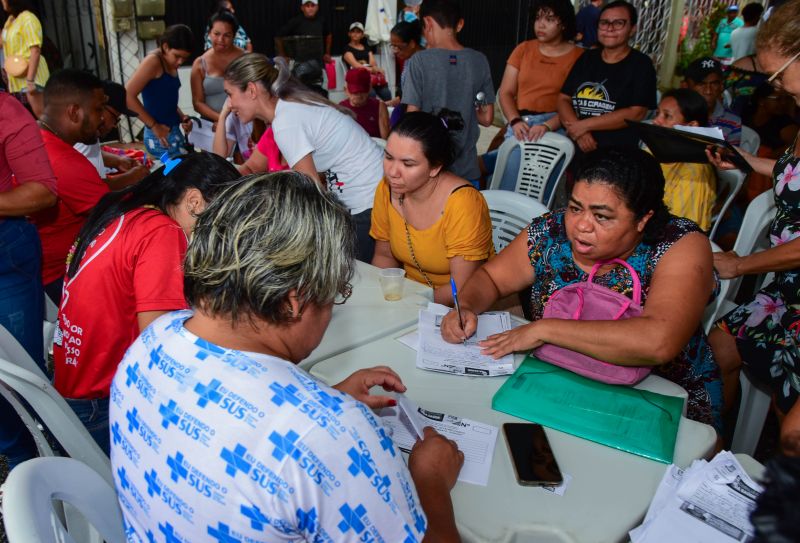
(263, 237)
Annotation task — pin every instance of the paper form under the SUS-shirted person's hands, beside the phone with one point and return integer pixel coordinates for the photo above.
(475, 439)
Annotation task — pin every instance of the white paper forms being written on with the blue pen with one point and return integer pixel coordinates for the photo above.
(435, 354)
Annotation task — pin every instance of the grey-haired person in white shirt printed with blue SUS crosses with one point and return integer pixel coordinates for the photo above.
(282, 455)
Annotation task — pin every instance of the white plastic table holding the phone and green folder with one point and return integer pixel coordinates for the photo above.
(609, 492)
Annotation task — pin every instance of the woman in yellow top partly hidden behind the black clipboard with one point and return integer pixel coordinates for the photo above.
(691, 188)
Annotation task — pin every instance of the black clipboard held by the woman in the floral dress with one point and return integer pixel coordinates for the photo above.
(672, 145)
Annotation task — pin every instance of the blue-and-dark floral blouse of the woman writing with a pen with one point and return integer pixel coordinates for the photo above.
(550, 254)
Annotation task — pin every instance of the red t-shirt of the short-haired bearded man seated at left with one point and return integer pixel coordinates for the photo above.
(79, 189)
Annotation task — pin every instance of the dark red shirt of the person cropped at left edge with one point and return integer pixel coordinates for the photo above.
(22, 153)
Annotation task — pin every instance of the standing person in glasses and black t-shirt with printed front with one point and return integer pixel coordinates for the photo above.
(607, 86)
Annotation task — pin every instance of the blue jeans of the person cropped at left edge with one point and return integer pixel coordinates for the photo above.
(22, 313)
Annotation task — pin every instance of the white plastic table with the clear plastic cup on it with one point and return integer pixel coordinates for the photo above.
(367, 316)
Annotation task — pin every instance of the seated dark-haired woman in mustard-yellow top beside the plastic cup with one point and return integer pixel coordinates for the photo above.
(430, 221)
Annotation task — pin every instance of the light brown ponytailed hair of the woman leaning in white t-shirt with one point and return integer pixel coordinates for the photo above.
(277, 79)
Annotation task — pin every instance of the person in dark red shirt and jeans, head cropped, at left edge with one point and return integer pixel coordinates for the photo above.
(27, 184)
